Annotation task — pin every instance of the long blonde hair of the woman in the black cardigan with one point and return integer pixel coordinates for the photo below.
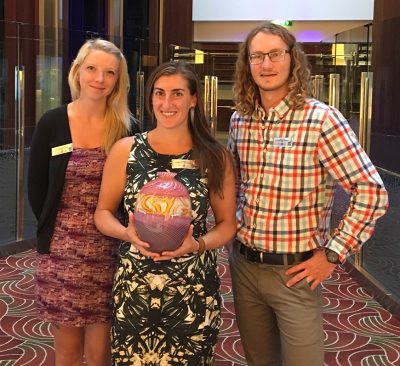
(118, 115)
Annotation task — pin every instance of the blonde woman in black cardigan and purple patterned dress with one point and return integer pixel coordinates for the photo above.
(76, 263)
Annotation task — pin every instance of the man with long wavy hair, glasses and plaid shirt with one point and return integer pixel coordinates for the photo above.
(289, 150)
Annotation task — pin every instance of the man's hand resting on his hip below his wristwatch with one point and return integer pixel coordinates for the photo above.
(315, 270)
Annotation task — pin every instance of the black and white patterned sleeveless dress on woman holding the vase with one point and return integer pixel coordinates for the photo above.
(165, 313)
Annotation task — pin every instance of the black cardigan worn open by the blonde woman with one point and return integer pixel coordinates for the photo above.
(46, 173)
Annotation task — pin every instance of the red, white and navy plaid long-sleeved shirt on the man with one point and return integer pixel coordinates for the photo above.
(287, 164)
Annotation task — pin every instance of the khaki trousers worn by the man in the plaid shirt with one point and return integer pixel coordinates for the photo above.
(278, 325)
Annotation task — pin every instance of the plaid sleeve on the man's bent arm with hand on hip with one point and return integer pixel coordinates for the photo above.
(341, 154)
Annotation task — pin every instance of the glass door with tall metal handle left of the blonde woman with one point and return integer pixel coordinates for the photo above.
(30, 84)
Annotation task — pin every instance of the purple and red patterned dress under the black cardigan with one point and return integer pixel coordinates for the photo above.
(74, 281)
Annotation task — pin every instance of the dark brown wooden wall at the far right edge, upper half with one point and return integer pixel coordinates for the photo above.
(385, 139)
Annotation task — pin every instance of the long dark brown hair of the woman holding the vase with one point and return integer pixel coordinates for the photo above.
(210, 155)
